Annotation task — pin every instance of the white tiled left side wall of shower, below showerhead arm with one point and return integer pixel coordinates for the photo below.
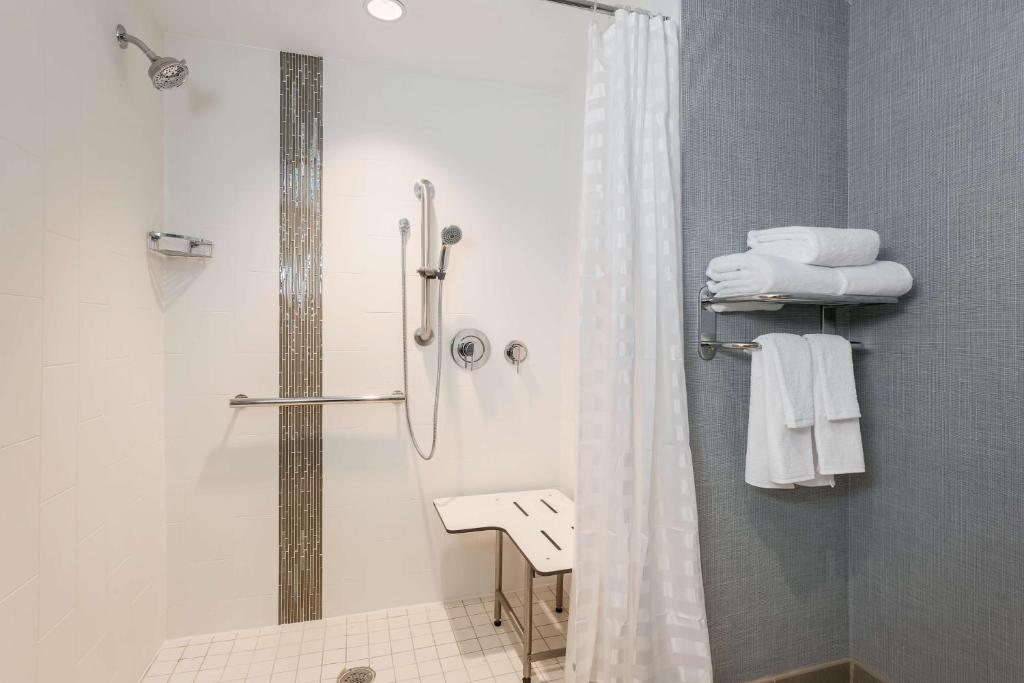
(81, 459)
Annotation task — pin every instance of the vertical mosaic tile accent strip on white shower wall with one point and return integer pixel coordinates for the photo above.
(302, 370)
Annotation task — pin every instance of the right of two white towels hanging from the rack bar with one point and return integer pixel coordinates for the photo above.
(837, 414)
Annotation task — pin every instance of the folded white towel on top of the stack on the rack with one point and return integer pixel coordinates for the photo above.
(817, 246)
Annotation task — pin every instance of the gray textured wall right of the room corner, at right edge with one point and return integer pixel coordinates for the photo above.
(937, 532)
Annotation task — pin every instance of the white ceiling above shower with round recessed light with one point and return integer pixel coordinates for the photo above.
(527, 42)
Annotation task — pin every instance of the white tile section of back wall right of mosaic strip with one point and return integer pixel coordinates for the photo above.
(501, 162)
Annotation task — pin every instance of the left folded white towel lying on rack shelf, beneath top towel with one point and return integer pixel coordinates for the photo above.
(747, 274)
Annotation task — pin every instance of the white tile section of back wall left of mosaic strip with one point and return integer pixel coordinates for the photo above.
(222, 339)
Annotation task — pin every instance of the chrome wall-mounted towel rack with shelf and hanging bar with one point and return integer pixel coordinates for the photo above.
(708, 343)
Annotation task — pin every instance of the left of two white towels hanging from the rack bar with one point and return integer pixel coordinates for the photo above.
(780, 456)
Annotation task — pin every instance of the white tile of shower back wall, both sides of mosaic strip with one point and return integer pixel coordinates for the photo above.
(499, 158)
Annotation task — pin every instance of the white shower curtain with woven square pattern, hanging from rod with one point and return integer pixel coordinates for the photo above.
(638, 612)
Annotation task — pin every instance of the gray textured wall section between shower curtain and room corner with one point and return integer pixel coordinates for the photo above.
(764, 144)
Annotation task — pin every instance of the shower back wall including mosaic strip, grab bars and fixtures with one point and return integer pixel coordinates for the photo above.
(400, 281)
